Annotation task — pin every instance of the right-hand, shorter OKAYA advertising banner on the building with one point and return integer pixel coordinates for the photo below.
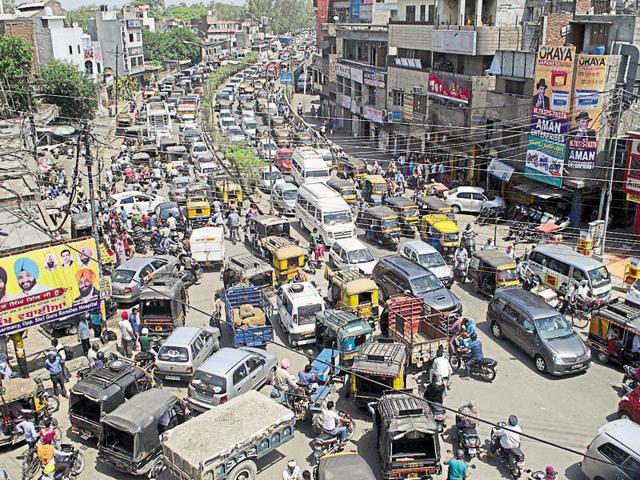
(590, 82)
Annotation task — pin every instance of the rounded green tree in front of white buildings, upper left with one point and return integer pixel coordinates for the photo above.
(62, 84)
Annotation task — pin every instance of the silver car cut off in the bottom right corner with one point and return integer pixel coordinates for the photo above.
(617, 444)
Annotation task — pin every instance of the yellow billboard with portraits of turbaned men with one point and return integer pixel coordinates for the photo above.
(49, 283)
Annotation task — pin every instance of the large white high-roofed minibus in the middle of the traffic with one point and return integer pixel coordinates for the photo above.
(319, 206)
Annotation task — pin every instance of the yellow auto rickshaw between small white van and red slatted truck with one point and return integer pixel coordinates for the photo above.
(353, 291)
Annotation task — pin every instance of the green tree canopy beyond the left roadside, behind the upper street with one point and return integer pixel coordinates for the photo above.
(169, 46)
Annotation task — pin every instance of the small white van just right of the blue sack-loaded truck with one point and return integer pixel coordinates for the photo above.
(298, 304)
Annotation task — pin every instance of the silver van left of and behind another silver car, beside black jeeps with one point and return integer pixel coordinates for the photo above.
(185, 350)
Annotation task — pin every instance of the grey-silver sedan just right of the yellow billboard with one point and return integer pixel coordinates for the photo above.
(127, 279)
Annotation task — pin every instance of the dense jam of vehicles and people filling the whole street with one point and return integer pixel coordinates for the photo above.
(258, 302)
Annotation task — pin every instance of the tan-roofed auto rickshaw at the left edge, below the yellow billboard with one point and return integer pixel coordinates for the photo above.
(19, 396)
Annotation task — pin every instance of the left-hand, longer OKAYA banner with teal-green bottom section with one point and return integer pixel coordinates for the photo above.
(551, 100)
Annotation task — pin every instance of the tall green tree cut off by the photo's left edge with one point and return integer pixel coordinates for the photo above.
(15, 67)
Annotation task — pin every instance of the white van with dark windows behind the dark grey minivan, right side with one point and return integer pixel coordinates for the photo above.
(559, 266)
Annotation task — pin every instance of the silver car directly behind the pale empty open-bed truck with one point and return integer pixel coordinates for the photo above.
(228, 373)
